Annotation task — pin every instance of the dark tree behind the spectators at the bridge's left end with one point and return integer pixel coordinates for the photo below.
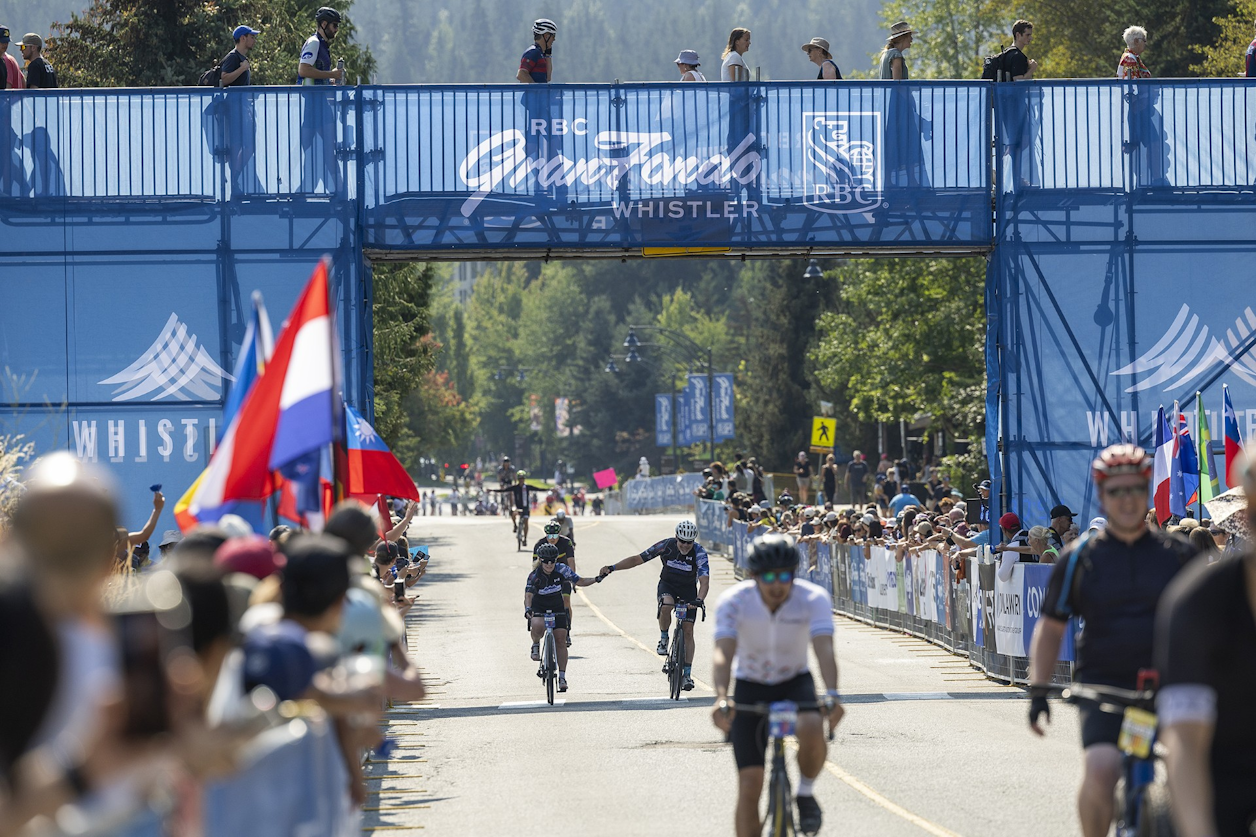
(168, 43)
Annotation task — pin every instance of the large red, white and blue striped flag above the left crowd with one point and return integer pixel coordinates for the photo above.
(290, 418)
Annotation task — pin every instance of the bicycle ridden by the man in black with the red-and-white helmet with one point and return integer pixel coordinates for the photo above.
(1142, 801)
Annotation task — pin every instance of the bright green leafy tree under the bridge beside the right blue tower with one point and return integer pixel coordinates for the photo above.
(907, 339)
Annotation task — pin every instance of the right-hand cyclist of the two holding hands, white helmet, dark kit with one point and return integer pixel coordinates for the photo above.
(685, 576)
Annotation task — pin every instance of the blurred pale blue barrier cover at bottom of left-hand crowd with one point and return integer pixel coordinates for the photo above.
(295, 782)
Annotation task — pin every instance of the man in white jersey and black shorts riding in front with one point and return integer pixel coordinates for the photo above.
(763, 628)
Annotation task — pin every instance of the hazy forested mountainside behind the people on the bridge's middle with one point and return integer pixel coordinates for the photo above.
(601, 41)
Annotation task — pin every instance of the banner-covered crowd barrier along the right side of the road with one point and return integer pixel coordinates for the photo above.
(979, 616)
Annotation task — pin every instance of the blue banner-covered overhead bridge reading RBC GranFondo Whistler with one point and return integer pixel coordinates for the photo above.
(1118, 219)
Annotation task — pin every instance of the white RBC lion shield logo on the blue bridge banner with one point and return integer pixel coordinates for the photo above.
(843, 172)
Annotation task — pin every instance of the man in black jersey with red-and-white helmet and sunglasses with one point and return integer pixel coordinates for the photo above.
(1113, 580)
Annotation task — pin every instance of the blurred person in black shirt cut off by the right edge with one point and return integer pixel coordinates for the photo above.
(1206, 657)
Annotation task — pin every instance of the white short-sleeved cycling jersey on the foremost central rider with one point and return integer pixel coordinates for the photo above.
(773, 648)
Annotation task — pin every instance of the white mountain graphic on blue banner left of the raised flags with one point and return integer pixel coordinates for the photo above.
(176, 366)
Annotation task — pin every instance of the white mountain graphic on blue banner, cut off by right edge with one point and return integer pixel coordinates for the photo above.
(1186, 354)
